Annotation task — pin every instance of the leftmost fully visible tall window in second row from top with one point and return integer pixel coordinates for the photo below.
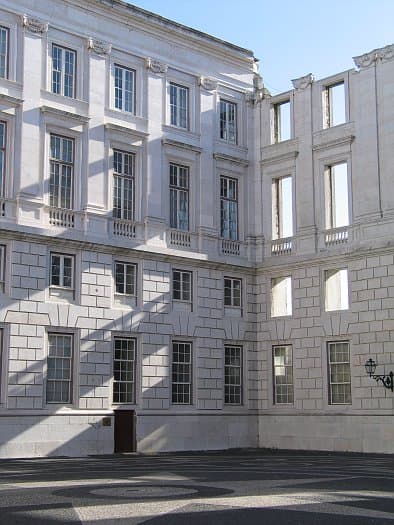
(61, 172)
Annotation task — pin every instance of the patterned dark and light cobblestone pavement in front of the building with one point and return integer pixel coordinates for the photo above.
(225, 488)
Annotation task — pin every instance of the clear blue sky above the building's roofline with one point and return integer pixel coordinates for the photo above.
(291, 37)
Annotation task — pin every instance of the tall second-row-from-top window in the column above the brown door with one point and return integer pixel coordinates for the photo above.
(124, 186)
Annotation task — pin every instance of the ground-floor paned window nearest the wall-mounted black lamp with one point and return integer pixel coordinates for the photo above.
(339, 373)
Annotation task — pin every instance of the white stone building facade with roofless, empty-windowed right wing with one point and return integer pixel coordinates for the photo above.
(186, 261)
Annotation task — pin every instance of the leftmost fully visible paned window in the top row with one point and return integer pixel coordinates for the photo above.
(63, 71)
